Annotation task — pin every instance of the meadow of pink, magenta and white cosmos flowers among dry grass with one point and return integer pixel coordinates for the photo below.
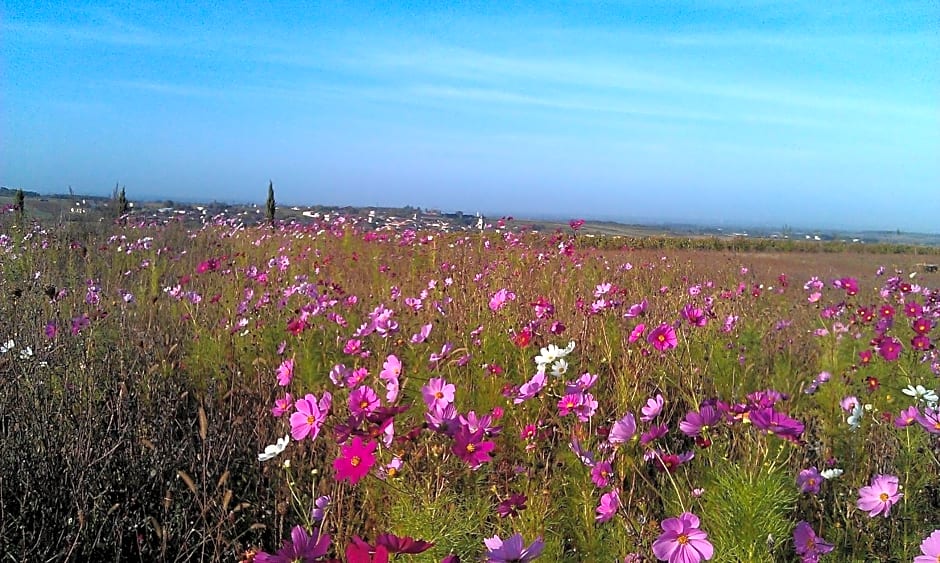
(322, 391)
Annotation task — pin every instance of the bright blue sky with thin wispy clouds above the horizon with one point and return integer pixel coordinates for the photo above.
(803, 113)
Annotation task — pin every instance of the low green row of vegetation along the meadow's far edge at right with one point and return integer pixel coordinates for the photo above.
(751, 245)
